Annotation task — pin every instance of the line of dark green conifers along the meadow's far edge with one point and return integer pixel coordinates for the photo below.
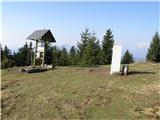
(88, 52)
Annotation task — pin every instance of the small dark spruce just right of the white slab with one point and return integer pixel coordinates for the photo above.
(127, 58)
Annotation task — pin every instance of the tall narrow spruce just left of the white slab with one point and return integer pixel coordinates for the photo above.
(107, 45)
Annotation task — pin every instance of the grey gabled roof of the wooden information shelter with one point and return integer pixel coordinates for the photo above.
(45, 35)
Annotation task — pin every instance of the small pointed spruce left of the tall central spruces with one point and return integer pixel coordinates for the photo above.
(72, 56)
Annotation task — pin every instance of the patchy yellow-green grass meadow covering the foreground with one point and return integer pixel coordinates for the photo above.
(81, 93)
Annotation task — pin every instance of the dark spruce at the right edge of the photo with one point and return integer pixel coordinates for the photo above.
(153, 54)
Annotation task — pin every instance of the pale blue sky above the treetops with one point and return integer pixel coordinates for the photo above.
(133, 23)
